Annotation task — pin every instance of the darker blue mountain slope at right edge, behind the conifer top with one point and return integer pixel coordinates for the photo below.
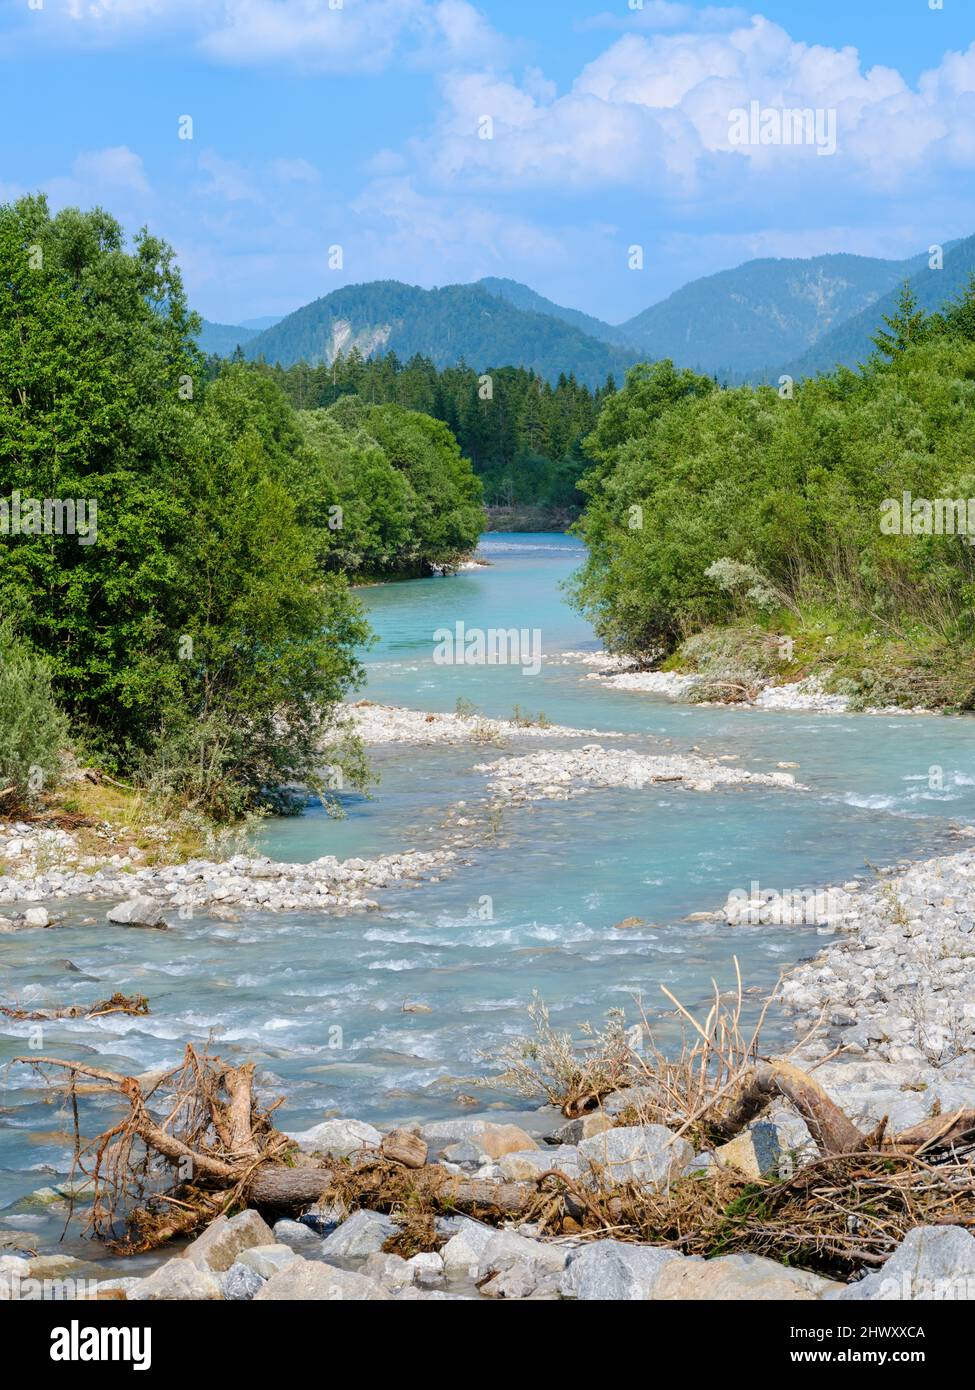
(851, 343)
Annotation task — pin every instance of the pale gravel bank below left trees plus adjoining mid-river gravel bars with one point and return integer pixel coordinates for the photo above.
(47, 864)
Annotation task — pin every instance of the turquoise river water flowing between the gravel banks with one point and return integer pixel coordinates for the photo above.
(319, 1001)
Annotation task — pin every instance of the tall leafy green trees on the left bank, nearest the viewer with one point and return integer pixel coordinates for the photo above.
(197, 641)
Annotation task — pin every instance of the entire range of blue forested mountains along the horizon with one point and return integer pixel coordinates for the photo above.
(739, 325)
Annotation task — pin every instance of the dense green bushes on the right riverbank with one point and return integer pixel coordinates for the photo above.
(711, 507)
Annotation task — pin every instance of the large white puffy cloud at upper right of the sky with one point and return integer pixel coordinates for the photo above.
(656, 113)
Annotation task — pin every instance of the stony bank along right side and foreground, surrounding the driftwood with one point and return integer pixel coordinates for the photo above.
(895, 999)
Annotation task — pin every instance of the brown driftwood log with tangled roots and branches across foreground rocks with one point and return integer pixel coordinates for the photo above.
(195, 1143)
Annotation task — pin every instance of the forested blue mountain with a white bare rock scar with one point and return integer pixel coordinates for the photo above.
(458, 323)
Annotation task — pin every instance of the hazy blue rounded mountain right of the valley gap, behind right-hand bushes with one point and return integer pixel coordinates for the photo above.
(763, 313)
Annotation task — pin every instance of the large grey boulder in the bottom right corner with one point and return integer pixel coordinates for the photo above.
(933, 1263)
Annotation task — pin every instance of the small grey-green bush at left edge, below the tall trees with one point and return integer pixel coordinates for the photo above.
(33, 729)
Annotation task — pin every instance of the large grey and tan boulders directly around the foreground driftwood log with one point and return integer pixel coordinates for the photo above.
(336, 1253)
